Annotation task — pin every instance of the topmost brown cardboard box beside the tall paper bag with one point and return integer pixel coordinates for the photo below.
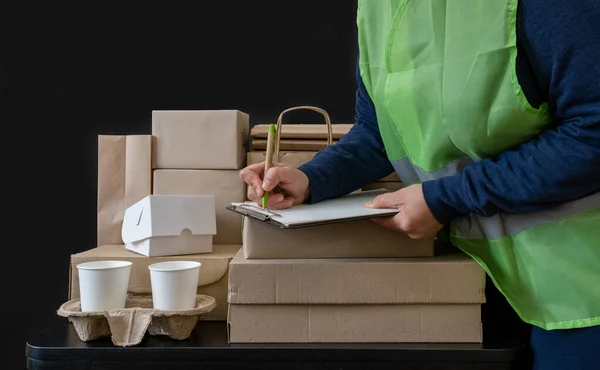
(200, 139)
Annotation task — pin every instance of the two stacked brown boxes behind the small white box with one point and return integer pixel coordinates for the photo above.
(202, 152)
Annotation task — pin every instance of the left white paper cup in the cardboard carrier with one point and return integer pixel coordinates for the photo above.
(103, 285)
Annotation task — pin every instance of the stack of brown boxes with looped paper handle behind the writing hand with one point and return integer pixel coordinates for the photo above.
(298, 143)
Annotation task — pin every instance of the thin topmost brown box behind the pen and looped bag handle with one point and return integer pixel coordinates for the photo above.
(303, 131)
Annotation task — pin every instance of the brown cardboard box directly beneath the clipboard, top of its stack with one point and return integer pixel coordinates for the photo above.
(354, 239)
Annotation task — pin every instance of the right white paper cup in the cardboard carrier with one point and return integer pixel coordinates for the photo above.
(174, 285)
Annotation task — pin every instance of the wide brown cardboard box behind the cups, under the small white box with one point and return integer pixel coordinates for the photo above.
(213, 279)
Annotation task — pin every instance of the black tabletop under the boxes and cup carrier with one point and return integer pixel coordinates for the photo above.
(59, 347)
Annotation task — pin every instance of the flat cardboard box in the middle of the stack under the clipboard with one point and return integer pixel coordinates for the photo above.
(452, 278)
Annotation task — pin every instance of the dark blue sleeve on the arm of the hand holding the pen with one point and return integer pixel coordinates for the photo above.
(357, 159)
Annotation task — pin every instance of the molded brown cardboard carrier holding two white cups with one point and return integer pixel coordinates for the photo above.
(127, 326)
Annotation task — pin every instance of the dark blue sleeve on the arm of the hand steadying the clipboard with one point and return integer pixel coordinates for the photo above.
(562, 42)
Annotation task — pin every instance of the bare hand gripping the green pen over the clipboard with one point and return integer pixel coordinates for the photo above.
(287, 185)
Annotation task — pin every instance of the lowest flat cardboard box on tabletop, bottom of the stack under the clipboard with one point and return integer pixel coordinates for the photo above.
(355, 324)
